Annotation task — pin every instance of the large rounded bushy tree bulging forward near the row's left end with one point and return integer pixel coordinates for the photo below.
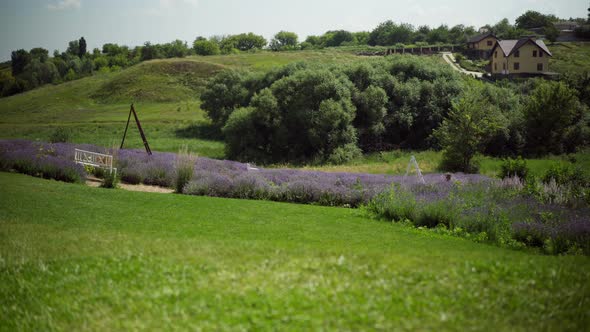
(303, 117)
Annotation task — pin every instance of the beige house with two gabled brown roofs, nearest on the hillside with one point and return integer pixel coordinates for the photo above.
(526, 56)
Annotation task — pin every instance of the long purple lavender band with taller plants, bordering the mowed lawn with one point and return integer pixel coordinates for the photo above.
(468, 203)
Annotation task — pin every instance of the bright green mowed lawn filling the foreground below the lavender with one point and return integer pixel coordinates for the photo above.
(79, 258)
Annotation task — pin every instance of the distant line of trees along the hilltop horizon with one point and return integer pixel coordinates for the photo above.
(33, 68)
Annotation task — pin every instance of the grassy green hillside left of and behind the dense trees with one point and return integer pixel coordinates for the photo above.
(165, 92)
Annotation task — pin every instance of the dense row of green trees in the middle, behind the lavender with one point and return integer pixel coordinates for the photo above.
(324, 113)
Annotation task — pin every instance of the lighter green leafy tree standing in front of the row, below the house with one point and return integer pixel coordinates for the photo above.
(470, 123)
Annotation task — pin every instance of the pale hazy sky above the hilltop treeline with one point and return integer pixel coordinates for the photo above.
(52, 23)
